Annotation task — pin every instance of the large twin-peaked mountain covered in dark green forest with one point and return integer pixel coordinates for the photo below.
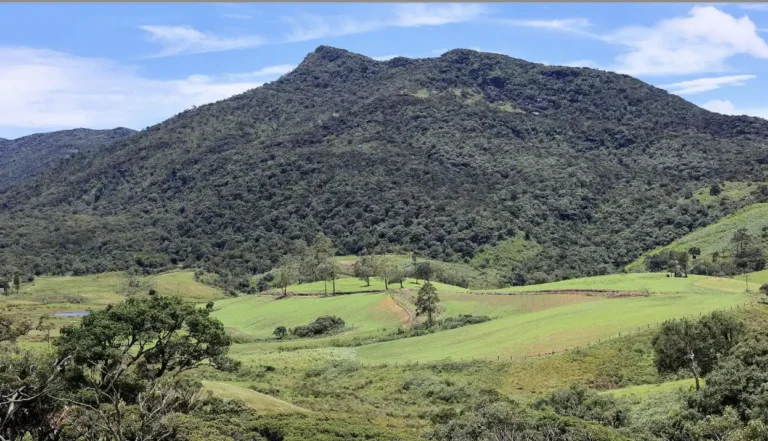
(442, 156)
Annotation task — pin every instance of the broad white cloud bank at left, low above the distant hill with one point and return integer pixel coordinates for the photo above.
(44, 89)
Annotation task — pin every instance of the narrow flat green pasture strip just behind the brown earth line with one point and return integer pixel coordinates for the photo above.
(641, 282)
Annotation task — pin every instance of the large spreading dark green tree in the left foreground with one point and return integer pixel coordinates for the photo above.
(127, 359)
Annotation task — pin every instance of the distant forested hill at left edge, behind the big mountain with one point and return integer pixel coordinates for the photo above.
(24, 158)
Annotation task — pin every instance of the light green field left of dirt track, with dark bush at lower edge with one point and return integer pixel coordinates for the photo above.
(260, 315)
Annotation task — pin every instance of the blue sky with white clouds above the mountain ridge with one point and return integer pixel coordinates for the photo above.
(105, 65)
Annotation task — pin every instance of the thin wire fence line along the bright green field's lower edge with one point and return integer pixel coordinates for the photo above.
(541, 355)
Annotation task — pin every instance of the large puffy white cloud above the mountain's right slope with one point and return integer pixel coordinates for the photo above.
(700, 42)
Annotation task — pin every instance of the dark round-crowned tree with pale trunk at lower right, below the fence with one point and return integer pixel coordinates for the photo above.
(695, 345)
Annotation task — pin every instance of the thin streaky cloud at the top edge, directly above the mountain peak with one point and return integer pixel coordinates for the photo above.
(311, 27)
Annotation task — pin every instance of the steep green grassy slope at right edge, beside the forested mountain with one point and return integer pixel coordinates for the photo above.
(716, 237)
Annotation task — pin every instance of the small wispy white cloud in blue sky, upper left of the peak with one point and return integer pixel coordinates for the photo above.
(178, 40)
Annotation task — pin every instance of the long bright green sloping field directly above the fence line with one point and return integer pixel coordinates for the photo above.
(554, 329)
